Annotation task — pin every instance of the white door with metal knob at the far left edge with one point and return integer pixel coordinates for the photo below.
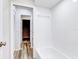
(4, 32)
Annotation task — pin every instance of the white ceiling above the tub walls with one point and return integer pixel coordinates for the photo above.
(46, 3)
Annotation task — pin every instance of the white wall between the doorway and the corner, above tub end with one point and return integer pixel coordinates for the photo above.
(42, 28)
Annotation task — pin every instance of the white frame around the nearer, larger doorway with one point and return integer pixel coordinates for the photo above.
(12, 24)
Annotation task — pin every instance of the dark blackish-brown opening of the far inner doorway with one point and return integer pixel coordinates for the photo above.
(26, 31)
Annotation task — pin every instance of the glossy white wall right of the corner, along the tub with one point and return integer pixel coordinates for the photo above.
(64, 27)
